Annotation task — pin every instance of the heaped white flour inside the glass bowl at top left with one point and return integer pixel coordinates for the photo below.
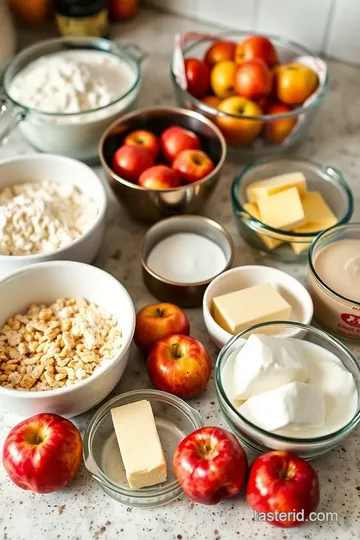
(72, 81)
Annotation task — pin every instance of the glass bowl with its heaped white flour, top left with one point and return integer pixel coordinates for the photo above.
(64, 92)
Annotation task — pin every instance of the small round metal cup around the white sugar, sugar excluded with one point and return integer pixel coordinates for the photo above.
(182, 294)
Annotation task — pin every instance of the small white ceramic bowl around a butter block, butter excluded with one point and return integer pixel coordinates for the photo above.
(247, 276)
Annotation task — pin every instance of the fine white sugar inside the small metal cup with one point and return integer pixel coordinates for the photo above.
(186, 258)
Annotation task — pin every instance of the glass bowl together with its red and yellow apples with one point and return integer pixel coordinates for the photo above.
(261, 91)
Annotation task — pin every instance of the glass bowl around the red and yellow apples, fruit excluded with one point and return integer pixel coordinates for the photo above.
(287, 52)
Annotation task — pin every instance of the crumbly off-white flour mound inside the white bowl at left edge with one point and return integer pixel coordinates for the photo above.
(39, 217)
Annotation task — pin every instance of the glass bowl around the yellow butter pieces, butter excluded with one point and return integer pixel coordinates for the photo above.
(323, 178)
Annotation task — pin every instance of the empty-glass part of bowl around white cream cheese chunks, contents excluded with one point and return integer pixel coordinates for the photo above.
(260, 440)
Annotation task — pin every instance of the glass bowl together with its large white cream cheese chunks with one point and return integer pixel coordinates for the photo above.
(282, 393)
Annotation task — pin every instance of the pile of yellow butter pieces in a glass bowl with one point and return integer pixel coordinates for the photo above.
(284, 202)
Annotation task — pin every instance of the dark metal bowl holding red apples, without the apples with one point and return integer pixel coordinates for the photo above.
(149, 204)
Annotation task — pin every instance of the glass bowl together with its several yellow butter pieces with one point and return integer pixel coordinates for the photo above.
(281, 206)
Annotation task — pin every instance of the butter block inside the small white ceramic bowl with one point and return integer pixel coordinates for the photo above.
(260, 303)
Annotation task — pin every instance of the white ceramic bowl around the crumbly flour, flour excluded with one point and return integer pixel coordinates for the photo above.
(40, 167)
